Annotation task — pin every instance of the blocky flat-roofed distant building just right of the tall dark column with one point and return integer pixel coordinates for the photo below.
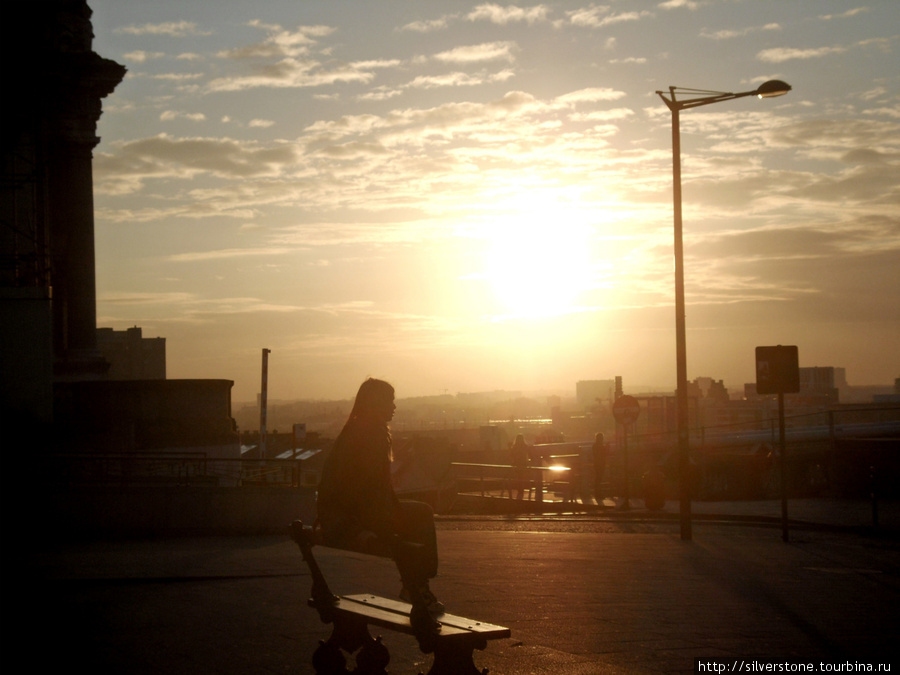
(132, 356)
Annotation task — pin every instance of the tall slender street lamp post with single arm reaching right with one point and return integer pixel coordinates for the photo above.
(697, 98)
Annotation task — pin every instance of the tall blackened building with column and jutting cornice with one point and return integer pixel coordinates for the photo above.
(53, 87)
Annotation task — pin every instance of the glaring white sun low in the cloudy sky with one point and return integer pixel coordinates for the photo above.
(538, 258)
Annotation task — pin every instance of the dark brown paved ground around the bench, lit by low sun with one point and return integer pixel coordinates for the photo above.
(609, 593)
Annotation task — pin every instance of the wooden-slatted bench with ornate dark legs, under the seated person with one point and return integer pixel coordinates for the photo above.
(453, 645)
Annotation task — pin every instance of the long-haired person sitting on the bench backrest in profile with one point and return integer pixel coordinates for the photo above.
(358, 509)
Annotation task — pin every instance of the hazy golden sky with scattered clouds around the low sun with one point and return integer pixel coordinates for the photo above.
(459, 196)
